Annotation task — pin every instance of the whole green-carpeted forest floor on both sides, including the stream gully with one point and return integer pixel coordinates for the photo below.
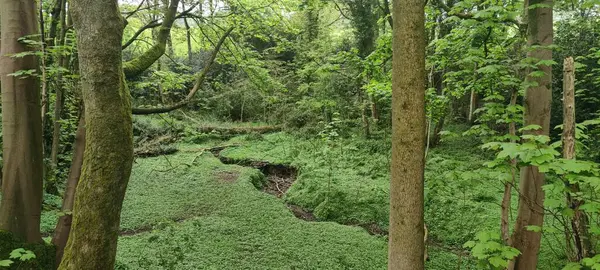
(284, 201)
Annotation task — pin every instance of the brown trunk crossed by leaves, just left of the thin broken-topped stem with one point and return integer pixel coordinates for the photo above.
(537, 112)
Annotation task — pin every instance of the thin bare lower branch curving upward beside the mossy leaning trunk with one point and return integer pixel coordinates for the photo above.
(199, 81)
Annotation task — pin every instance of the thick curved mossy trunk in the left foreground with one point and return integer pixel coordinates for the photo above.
(108, 153)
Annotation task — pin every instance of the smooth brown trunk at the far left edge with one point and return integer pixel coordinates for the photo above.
(22, 176)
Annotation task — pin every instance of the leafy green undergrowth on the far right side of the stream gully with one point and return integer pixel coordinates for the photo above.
(347, 180)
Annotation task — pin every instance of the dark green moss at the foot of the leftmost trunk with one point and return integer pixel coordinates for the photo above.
(45, 253)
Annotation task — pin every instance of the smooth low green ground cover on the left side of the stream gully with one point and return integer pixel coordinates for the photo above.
(204, 214)
